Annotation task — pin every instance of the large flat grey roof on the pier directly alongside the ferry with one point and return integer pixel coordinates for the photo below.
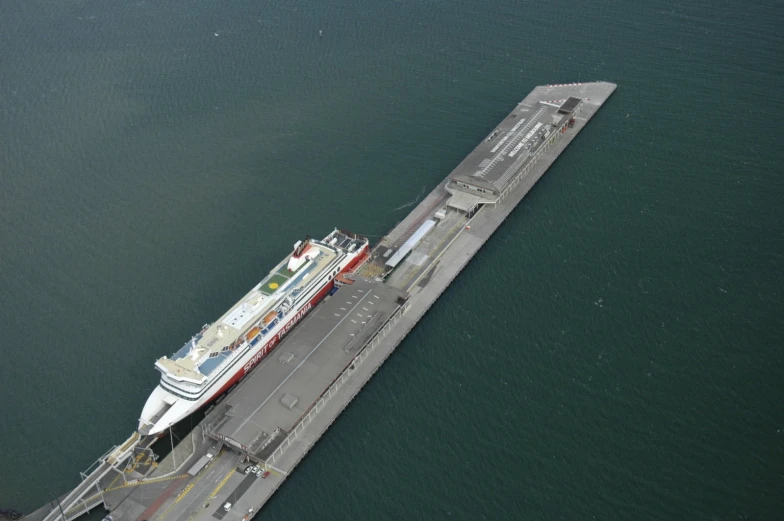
(273, 398)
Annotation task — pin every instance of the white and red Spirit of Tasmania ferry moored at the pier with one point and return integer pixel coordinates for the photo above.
(223, 352)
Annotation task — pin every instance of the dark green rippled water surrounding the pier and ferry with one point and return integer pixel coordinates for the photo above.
(614, 352)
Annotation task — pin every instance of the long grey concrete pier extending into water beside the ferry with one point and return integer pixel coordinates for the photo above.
(253, 437)
